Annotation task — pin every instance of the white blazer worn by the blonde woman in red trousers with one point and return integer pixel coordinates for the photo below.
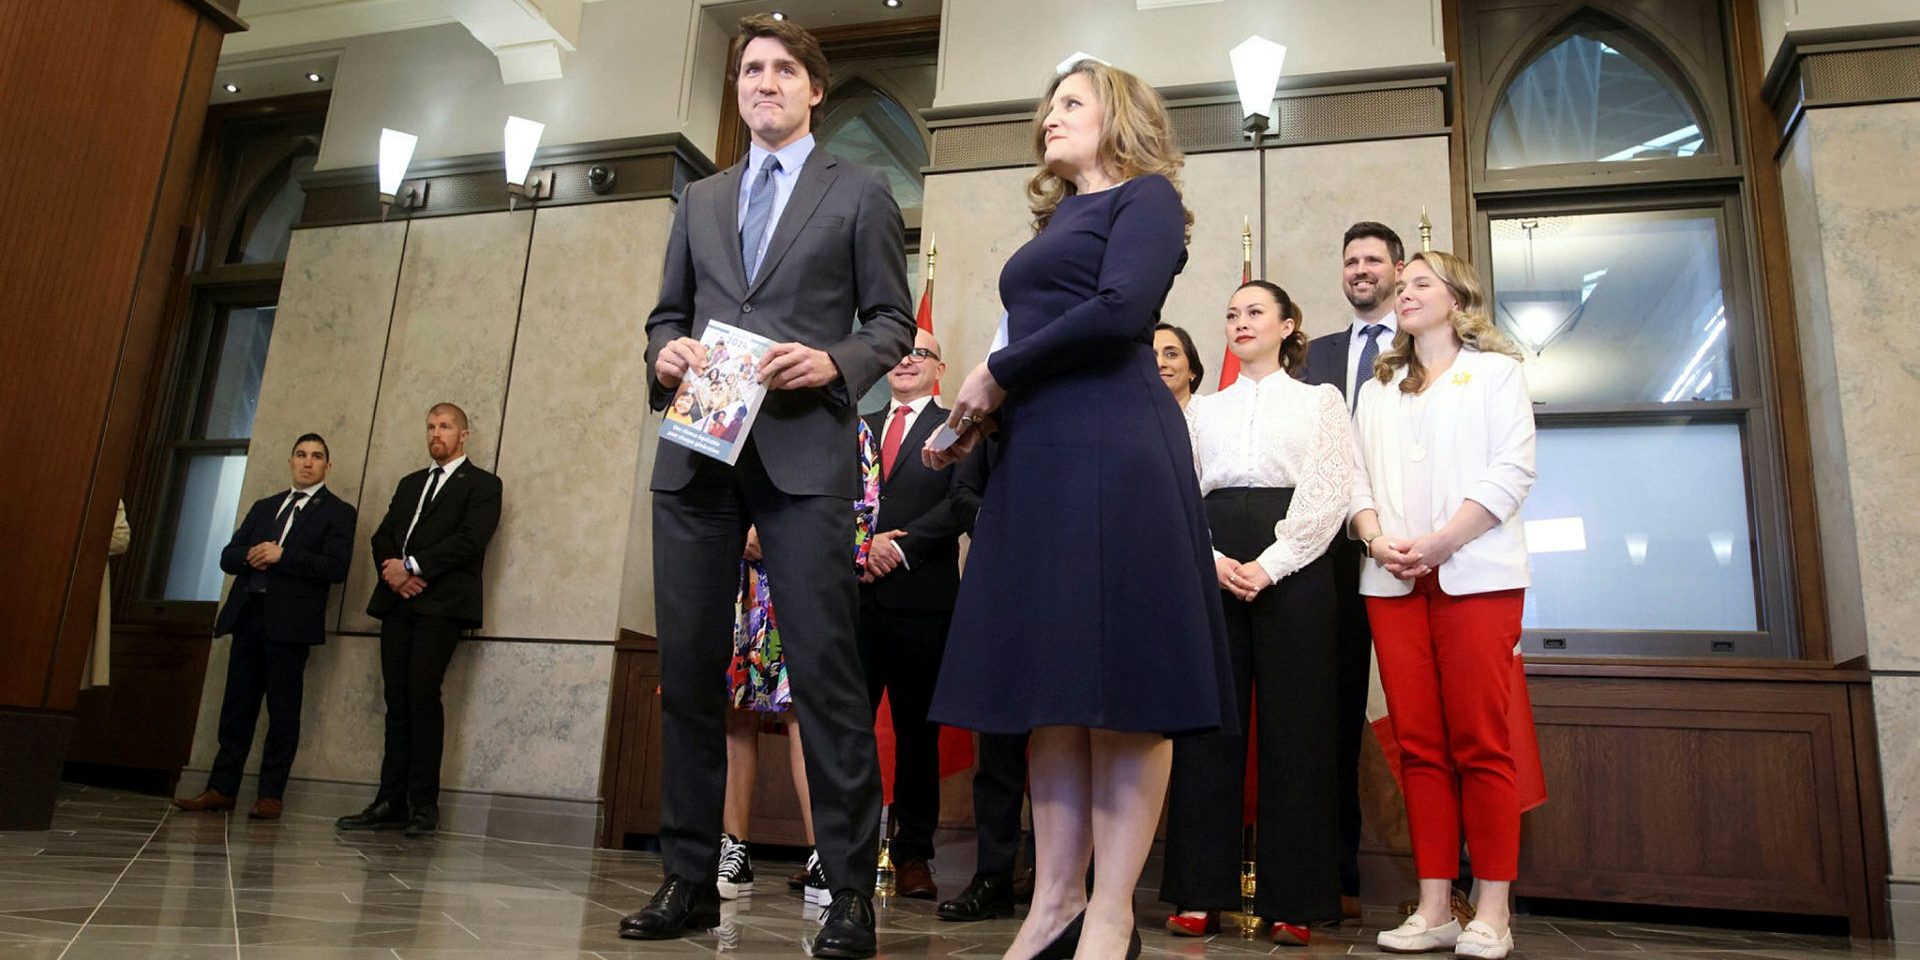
(1483, 452)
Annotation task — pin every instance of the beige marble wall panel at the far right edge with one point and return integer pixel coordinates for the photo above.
(1871, 247)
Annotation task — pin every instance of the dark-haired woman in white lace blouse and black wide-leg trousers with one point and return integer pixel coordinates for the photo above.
(1276, 460)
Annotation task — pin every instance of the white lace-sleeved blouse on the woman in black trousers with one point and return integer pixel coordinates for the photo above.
(1280, 433)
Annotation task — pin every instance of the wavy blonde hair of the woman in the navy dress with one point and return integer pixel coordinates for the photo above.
(1136, 137)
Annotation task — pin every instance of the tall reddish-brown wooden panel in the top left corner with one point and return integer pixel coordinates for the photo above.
(87, 133)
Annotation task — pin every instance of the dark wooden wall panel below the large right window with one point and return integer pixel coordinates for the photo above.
(1735, 796)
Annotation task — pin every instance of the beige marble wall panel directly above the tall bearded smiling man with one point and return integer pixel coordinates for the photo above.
(1316, 193)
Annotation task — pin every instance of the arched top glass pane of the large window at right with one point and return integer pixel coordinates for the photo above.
(1593, 101)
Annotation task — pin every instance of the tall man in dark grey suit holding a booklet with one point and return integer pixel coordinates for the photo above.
(792, 245)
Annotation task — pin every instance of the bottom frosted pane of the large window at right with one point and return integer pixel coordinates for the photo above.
(1641, 529)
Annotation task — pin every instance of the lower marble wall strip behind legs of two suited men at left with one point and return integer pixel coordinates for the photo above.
(523, 719)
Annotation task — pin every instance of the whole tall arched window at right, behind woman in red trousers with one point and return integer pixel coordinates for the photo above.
(1610, 226)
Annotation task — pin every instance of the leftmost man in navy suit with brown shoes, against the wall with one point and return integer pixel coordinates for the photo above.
(285, 558)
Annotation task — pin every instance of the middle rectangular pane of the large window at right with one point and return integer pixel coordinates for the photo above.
(1616, 308)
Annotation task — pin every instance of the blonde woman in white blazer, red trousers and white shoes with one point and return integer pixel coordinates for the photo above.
(1445, 458)
